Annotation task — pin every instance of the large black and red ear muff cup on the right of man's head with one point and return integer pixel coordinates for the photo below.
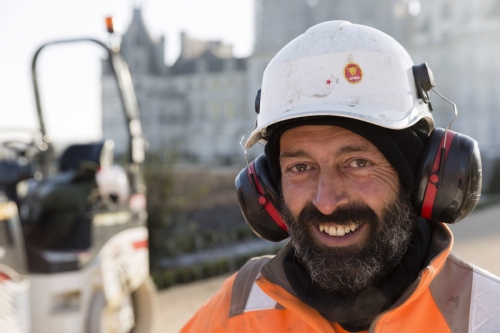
(448, 183)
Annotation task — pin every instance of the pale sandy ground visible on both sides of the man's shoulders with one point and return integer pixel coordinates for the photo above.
(477, 240)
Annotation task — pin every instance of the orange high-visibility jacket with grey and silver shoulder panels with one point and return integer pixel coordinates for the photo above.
(449, 295)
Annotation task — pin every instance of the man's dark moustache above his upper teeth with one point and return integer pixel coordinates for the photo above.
(342, 215)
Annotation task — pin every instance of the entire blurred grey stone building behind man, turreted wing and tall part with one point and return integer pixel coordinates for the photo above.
(203, 104)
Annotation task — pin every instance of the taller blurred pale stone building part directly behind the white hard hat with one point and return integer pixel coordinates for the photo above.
(459, 39)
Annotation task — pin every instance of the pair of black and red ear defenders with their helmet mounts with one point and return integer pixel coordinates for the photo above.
(447, 187)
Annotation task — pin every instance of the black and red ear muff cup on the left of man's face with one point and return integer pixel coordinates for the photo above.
(259, 200)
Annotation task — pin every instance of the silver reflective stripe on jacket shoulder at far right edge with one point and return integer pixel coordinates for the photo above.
(485, 302)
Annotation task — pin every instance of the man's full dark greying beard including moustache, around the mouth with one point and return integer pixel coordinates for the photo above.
(353, 267)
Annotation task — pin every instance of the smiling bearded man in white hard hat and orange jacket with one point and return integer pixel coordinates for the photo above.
(362, 175)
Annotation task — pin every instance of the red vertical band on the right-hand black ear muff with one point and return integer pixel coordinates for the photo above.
(432, 184)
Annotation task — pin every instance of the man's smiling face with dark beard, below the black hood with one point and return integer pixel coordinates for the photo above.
(347, 221)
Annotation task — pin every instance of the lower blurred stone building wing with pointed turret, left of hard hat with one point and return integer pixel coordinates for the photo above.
(197, 108)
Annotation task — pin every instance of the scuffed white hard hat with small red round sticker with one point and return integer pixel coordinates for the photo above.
(341, 69)
